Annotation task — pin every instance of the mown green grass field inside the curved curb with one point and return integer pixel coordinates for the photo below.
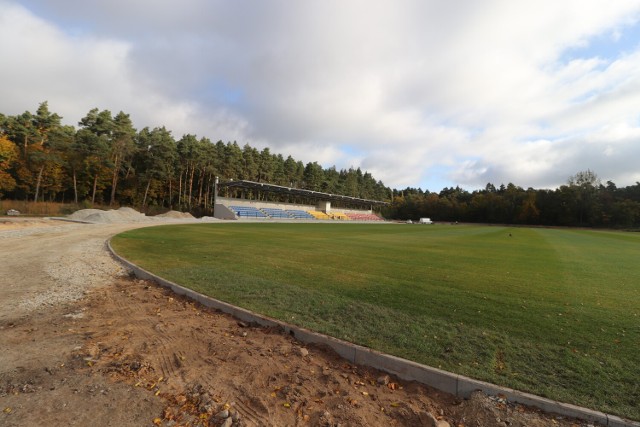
(554, 312)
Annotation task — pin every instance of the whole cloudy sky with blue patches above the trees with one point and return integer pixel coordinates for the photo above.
(423, 93)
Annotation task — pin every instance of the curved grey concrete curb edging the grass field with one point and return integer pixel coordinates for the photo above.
(448, 382)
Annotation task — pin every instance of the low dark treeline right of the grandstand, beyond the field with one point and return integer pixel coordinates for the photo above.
(583, 202)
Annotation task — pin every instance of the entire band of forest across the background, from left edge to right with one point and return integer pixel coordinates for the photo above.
(105, 161)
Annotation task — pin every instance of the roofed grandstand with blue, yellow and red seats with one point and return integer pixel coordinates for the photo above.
(262, 201)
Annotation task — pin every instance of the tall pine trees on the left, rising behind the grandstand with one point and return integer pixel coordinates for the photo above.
(105, 160)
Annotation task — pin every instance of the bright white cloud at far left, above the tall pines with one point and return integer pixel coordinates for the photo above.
(76, 74)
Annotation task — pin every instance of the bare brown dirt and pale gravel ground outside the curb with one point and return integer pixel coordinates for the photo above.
(84, 344)
